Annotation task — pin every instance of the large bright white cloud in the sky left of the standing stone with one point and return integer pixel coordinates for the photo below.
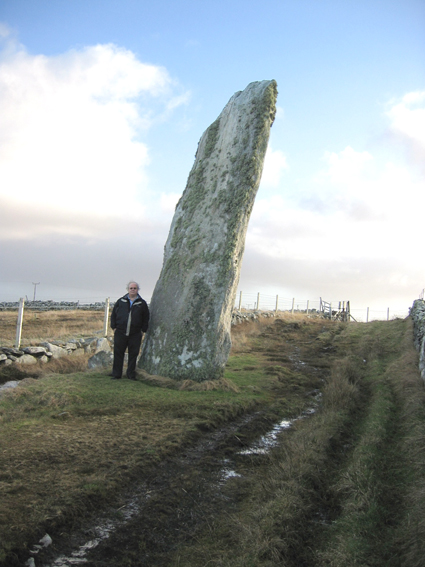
(70, 128)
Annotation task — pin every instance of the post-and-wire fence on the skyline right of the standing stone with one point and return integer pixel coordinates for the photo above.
(262, 302)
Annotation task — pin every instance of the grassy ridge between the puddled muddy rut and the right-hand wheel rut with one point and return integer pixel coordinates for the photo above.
(281, 497)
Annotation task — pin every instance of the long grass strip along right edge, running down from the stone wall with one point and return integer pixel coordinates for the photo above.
(380, 523)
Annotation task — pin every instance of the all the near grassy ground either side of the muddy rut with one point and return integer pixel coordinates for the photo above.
(344, 487)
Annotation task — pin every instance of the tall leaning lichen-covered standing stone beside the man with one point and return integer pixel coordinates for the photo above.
(191, 307)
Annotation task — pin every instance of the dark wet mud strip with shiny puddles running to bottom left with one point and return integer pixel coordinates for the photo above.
(183, 494)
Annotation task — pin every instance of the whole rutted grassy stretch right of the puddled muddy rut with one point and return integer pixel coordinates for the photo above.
(346, 487)
